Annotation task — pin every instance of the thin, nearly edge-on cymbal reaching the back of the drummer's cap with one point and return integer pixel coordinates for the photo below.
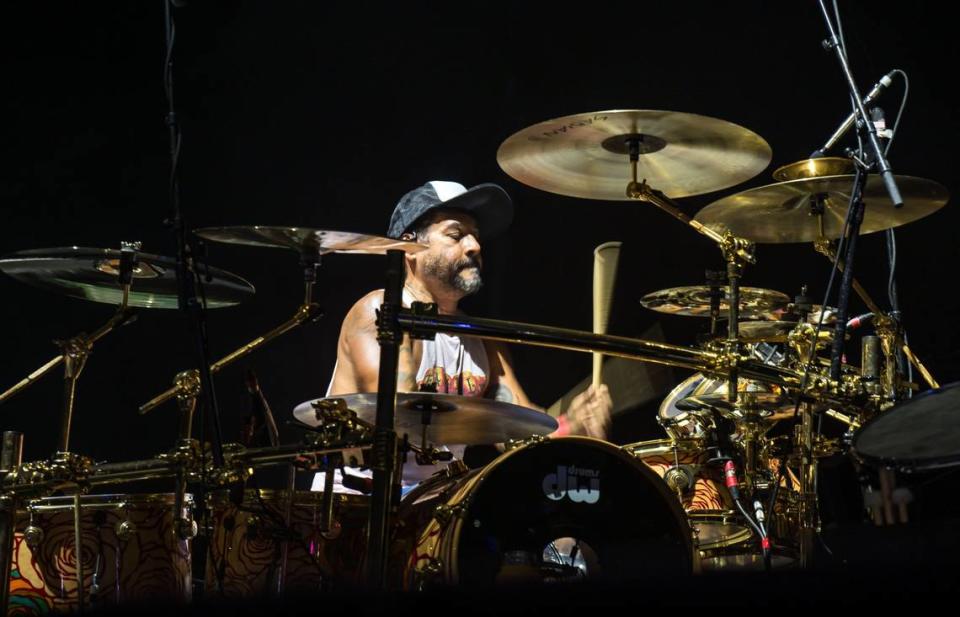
(306, 240)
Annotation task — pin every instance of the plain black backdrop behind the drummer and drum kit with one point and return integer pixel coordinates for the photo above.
(323, 115)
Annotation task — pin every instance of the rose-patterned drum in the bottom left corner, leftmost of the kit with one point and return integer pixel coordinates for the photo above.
(128, 550)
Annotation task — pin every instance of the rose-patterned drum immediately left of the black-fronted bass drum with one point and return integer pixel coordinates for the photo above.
(247, 543)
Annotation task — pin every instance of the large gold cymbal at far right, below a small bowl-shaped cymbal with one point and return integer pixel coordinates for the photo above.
(782, 212)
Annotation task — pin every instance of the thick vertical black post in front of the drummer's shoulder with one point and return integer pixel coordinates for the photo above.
(384, 453)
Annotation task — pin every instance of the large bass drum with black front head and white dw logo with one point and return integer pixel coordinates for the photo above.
(553, 509)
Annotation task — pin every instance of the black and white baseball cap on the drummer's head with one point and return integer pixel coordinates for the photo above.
(489, 204)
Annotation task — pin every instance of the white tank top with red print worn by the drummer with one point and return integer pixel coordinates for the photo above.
(450, 365)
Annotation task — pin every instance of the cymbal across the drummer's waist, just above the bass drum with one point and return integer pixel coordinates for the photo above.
(462, 420)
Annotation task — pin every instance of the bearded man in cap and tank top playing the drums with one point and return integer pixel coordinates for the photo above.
(451, 220)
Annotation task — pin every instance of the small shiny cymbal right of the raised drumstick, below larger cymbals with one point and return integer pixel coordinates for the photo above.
(694, 301)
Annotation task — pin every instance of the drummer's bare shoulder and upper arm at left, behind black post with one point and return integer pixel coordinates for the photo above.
(358, 352)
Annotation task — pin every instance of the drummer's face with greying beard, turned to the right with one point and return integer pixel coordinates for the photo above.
(453, 259)
